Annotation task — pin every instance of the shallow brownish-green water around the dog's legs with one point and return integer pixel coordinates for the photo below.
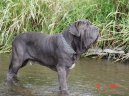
(90, 77)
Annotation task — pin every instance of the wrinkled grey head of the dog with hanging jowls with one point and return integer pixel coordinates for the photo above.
(86, 32)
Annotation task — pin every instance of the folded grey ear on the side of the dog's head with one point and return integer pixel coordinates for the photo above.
(74, 29)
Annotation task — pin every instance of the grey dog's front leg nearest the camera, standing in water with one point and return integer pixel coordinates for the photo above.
(62, 79)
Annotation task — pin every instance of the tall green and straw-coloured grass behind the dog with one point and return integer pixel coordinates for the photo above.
(52, 16)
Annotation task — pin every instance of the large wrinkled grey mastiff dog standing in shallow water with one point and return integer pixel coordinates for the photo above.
(58, 52)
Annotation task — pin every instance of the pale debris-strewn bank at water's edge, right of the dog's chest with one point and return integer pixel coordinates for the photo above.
(117, 54)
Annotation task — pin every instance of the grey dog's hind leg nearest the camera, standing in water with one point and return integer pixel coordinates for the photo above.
(17, 61)
